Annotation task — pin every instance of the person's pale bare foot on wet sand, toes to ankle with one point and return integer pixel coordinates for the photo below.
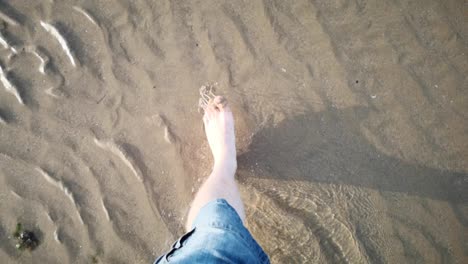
(219, 129)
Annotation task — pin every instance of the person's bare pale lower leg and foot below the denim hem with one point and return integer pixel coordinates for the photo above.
(219, 129)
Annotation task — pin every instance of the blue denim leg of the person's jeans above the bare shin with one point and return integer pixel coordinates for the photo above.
(217, 236)
